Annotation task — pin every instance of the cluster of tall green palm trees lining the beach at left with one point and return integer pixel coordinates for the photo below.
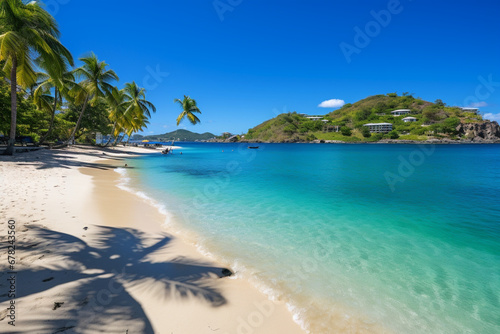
(31, 56)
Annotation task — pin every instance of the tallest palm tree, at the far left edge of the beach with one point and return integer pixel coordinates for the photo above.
(27, 31)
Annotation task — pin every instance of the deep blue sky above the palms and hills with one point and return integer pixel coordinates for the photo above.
(245, 61)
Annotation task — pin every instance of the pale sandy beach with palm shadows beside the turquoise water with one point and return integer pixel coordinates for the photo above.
(160, 292)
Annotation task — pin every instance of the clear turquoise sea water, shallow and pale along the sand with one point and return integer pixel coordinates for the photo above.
(357, 238)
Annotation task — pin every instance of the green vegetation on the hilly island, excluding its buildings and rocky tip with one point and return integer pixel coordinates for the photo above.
(434, 120)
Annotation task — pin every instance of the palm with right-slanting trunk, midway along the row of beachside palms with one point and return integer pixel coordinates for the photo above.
(96, 84)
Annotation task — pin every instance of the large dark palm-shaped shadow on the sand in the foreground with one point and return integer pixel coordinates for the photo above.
(98, 279)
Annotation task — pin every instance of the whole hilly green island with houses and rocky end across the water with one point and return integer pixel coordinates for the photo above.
(379, 118)
